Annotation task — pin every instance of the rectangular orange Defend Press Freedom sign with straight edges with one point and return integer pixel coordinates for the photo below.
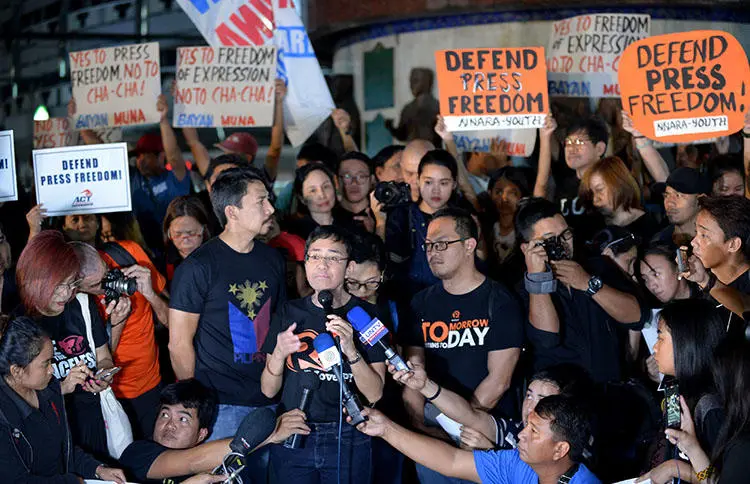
(492, 88)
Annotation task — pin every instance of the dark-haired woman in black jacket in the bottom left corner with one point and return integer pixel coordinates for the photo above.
(35, 444)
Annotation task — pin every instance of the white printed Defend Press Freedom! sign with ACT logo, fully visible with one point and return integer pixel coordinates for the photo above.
(83, 179)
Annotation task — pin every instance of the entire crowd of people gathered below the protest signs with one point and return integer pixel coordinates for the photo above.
(573, 317)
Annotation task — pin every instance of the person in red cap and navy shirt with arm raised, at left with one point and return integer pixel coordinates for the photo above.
(153, 186)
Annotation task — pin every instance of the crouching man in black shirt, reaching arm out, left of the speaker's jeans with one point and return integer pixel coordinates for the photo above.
(178, 448)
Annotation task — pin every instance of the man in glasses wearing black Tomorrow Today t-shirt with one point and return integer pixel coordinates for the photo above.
(467, 330)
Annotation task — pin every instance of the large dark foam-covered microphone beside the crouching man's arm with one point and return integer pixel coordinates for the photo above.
(253, 431)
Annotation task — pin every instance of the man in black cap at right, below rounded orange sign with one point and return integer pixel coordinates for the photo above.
(684, 187)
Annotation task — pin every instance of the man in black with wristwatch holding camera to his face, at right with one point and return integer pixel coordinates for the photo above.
(576, 315)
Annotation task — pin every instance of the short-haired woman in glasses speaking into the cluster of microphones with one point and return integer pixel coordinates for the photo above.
(293, 364)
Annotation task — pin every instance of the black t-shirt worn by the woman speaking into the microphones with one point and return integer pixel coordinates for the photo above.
(304, 365)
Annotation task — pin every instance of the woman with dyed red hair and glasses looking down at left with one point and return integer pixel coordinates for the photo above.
(48, 277)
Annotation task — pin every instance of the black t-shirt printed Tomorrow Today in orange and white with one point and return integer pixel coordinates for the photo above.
(458, 331)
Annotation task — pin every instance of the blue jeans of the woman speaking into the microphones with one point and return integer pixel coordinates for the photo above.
(316, 461)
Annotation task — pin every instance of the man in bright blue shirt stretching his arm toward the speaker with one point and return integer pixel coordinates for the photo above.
(549, 448)
